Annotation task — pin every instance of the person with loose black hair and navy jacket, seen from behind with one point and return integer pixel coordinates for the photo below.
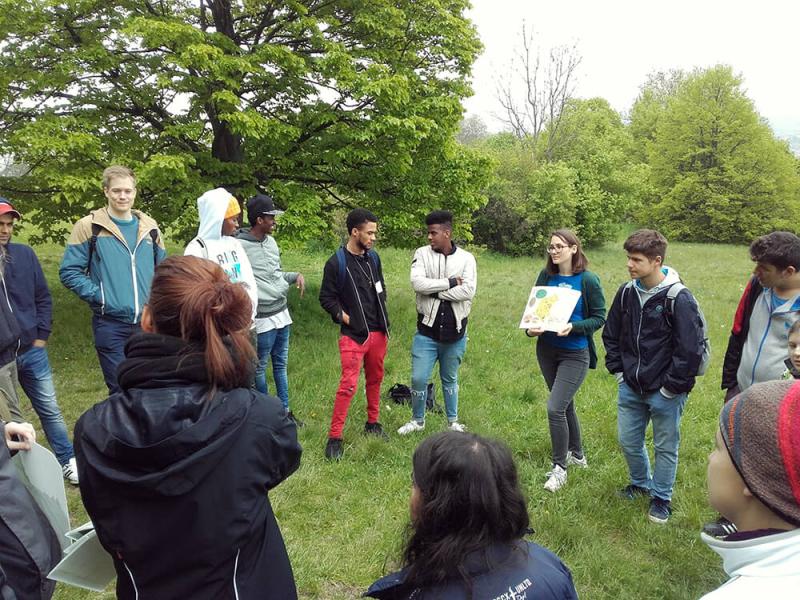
(465, 538)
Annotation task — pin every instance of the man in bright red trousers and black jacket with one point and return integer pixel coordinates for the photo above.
(354, 294)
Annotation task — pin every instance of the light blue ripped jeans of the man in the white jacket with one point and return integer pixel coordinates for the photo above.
(425, 352)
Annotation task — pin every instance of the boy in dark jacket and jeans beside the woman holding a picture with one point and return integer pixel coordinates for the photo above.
(654, 350)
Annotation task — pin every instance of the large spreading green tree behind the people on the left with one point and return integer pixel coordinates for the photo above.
(326, 103)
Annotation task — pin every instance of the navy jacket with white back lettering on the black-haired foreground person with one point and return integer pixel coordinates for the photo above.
(525, 569)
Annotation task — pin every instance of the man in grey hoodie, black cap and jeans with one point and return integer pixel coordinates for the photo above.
(273, 321)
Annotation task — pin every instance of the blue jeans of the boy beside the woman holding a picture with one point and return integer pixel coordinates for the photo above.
(634, 412)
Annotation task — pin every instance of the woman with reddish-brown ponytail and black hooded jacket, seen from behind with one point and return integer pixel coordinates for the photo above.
(175, 468)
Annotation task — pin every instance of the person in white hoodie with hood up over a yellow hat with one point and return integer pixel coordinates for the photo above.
(219, 219)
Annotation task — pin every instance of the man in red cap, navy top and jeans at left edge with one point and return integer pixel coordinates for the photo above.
(29, 298)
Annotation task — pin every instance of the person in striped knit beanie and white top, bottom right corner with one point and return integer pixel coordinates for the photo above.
(754, 480)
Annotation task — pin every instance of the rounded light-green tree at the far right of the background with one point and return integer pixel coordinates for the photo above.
(718, 172)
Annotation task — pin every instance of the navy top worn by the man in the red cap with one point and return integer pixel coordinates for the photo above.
(28, 294)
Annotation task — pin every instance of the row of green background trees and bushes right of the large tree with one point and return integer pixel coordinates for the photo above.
(692, 158)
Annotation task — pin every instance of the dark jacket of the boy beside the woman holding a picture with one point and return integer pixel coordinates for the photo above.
(651, 348)
